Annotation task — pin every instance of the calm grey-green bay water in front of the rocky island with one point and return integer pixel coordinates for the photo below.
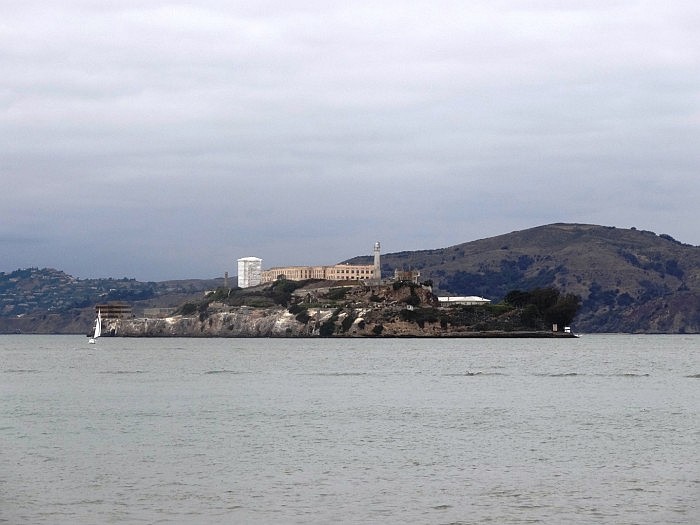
(600, 429)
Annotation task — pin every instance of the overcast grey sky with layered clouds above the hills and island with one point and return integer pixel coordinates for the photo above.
(162, 140)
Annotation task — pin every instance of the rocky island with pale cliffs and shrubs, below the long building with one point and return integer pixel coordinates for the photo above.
(318, 308)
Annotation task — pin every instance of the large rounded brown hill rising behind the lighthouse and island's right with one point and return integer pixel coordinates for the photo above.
(629, 280)
